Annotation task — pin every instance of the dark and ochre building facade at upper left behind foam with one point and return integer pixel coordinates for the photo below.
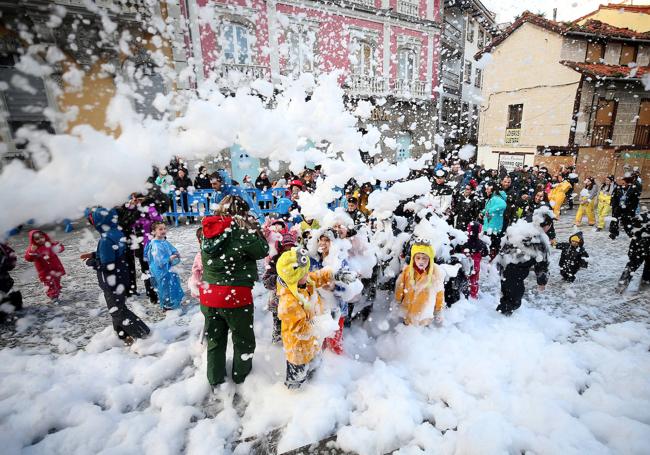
(78, 61)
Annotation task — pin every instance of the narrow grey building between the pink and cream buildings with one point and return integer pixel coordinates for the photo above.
(468, 27)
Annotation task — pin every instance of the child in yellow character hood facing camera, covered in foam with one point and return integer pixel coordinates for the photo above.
(420, 287)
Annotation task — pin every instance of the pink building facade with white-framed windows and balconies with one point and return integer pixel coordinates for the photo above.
(388, 51)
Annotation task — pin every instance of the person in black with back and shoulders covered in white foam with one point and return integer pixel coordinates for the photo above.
(524, 246)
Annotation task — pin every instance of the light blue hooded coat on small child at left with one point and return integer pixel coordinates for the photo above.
(167, 282)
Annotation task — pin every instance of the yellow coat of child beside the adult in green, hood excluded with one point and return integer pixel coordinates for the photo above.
(298, 338)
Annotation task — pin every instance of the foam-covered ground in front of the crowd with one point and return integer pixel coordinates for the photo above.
(568, 373)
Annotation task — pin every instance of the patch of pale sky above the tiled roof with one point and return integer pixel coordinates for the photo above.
(567, 10)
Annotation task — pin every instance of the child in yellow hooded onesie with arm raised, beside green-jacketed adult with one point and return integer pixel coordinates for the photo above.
(298, 305)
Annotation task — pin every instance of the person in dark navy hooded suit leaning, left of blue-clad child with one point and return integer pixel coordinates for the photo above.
(113, 275)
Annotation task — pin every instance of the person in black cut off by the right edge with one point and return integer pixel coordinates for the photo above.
(638, 253)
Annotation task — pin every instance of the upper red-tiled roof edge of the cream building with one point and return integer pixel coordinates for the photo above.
(593, 27)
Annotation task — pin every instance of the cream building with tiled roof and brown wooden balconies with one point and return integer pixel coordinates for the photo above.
(566, 94)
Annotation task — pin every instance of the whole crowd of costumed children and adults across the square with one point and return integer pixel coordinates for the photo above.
(322, 274)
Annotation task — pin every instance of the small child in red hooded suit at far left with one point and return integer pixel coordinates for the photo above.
(47, 263)
